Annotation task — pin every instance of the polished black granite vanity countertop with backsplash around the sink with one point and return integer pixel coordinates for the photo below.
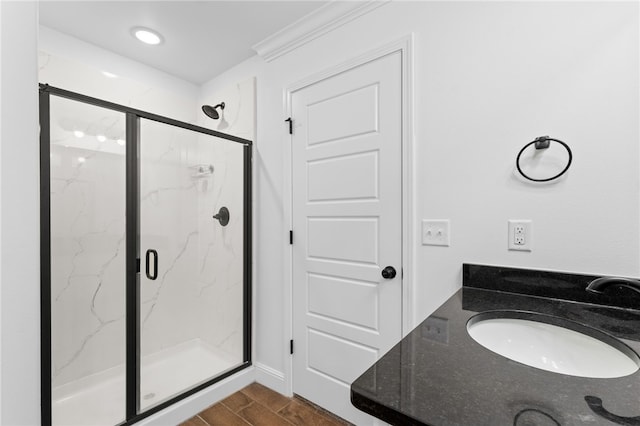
(450, 379)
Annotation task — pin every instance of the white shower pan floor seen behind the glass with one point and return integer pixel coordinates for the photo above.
(99, 399)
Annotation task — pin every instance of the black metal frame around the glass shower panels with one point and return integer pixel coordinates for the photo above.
(132, 283)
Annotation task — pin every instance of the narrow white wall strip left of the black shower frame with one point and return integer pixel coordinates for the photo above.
(20, 216)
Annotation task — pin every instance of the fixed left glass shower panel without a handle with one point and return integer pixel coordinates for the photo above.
(87, 210)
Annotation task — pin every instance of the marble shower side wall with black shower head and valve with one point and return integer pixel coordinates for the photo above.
(221, 271)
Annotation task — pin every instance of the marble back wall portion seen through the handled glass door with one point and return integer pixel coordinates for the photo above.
(168, 224)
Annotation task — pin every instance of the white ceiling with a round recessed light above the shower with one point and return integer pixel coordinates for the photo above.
(202, 39)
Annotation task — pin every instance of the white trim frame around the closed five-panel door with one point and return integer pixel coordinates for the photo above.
(405, 46)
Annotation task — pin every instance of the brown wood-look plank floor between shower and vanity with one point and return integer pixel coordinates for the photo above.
(258, 405)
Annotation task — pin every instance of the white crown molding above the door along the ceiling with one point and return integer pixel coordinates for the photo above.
(313, 25)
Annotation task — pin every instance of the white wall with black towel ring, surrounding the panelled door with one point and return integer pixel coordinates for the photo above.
(489, 77)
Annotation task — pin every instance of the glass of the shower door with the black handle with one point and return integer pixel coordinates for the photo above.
(191, 278)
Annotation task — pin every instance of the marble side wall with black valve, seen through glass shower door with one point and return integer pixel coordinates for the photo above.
(220, 256)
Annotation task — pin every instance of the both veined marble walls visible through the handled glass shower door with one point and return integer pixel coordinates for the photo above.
(198, 292)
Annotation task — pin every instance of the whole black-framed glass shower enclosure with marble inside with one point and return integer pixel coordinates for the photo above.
(146, 254)
